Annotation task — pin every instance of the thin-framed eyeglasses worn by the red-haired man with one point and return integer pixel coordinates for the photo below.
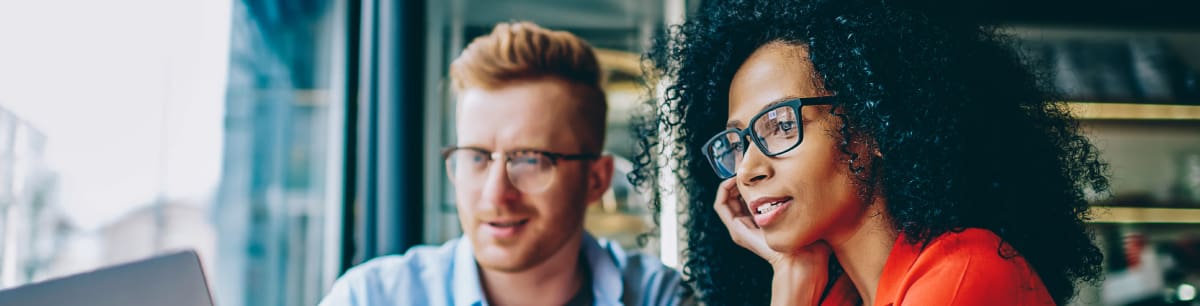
(530, 171)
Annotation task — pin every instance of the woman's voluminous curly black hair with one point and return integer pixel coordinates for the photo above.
(970, 135)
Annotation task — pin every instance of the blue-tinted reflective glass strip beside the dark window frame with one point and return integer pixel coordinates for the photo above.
(271, 205)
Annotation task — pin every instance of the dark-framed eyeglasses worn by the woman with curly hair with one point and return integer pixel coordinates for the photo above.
(776, 131)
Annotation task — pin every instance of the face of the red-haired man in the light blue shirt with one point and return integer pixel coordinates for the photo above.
(513, 230)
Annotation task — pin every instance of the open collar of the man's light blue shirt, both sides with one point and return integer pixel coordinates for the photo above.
(603, 260)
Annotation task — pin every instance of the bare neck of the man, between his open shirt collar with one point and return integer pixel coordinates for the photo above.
(551, 283)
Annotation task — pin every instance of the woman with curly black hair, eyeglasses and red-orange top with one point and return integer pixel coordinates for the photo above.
(862, 152)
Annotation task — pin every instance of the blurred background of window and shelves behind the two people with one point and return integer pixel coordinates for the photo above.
(290, 140)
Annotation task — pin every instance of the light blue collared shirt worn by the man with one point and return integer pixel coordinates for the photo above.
(448, 277)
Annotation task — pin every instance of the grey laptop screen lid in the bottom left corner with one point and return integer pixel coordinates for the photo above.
(175, 279)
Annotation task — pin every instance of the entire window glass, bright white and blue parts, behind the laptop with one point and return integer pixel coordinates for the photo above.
(133, 129)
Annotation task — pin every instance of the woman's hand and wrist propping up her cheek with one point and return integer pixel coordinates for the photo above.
(801, 275)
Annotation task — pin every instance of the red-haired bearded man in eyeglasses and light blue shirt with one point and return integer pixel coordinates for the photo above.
(527, 163)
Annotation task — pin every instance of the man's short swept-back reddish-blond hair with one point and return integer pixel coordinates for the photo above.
(523, 52)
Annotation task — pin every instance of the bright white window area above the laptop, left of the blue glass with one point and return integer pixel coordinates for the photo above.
(131, 119)
